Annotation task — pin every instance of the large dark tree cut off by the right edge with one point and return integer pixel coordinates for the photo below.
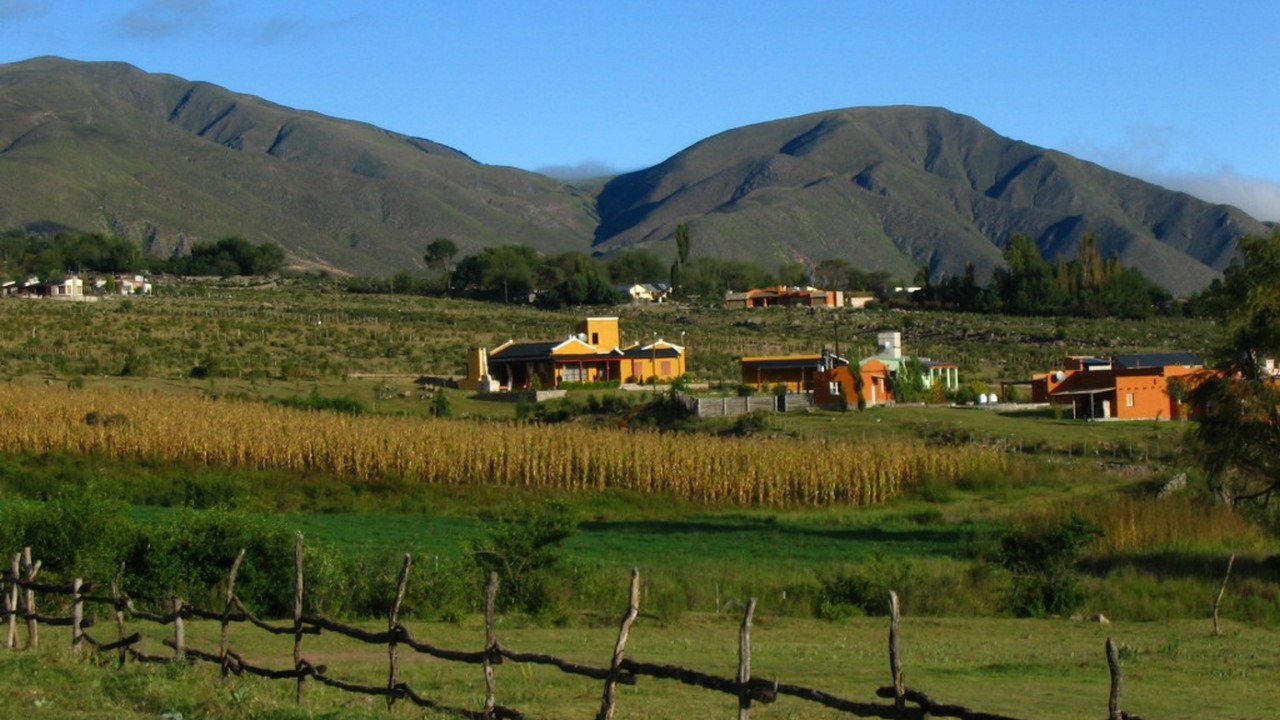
(1238, 436)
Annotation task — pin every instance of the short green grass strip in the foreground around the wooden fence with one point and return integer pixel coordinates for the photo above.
(1032, 669)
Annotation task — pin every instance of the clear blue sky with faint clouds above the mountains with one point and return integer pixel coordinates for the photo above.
(1183, 94)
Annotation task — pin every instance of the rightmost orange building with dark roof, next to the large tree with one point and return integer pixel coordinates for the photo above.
(1126, 388)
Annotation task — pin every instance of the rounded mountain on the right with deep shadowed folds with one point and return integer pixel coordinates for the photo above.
(897, 189)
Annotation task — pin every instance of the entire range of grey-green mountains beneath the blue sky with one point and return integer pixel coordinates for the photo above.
(168, 162)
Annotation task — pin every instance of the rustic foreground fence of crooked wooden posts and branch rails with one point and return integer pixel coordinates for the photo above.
(21, 586)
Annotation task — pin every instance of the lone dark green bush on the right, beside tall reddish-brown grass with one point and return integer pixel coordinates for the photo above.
(1041, 557)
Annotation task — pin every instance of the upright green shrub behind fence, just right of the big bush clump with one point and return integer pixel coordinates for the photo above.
(525, 549)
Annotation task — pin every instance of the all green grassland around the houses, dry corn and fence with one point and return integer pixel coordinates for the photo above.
(1155, 573)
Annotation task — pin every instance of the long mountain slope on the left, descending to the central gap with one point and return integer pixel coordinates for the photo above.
(107, 148)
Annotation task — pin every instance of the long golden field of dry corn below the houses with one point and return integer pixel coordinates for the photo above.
(124, 425)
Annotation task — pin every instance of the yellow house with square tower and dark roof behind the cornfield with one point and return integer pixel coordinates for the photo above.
(591, 356)
